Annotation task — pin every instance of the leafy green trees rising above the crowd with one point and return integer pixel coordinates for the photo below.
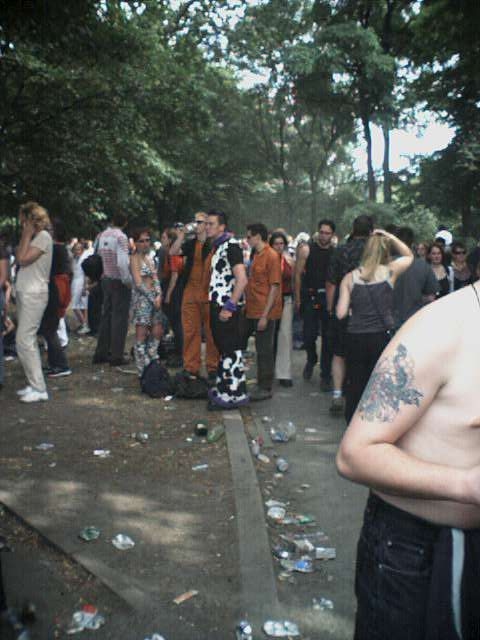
(142, 106)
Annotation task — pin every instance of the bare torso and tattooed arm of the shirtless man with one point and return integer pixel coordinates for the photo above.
(420, 415)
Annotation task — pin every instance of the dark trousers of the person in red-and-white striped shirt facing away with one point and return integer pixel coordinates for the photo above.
(114, 322)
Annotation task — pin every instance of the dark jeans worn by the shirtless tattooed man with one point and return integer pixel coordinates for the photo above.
(404, 580)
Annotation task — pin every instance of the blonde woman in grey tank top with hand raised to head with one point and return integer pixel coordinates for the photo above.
(366, 297)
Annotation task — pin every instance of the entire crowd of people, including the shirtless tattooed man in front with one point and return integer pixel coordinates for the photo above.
(413, 435)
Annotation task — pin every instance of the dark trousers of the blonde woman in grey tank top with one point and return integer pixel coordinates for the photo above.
(362, 353)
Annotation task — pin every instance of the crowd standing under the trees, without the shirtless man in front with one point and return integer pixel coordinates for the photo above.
(202, 285)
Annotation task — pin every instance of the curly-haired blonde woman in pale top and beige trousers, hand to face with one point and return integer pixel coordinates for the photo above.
(34, 257)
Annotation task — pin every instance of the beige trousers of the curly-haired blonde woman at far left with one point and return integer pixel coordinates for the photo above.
(30, 308)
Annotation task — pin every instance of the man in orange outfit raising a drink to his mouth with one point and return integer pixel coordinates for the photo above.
(195, 308)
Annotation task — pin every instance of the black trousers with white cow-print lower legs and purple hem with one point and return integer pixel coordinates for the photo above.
(231, 384)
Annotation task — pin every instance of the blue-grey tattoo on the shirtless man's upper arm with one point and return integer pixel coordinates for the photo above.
(390, 385)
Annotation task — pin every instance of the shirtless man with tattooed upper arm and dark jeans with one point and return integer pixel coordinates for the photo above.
(415, 441)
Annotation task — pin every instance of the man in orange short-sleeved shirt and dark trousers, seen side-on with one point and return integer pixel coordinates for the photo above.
(264, 306)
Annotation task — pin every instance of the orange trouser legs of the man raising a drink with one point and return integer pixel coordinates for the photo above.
(195, 316)
